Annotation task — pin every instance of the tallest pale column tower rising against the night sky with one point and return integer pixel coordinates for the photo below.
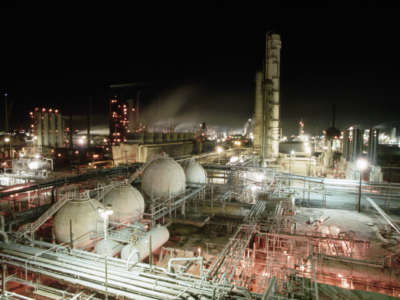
(272, 74)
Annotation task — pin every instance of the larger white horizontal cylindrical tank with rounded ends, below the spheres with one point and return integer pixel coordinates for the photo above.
(138, 252)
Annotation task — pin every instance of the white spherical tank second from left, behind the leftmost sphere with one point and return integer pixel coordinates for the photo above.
(127, 204)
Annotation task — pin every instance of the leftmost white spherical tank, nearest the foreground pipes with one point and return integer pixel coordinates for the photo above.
(83, 217)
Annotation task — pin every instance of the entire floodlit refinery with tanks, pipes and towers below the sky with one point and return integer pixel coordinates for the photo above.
(155, 212)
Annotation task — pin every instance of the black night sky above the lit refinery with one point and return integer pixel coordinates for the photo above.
(337, 54)
